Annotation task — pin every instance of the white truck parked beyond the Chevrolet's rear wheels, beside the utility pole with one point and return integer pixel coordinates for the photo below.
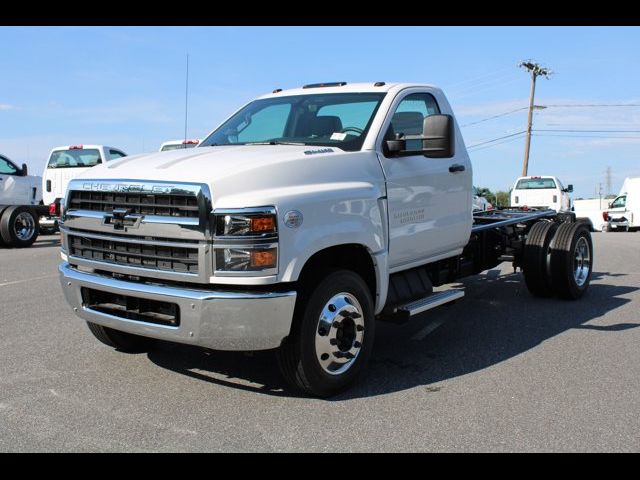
(541, 192)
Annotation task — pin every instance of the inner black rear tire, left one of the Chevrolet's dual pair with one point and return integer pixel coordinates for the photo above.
(536, 259)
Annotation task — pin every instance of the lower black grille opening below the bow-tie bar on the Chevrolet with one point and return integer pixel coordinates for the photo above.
(169, 258)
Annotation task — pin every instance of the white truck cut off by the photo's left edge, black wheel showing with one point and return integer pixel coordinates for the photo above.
(20, 204)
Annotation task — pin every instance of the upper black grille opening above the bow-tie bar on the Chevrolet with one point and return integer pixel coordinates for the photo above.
(180, 205)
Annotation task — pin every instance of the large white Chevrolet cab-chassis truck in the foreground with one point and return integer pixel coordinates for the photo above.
(296, 224)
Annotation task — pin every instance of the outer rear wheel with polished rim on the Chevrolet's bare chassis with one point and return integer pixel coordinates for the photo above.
(571, 260)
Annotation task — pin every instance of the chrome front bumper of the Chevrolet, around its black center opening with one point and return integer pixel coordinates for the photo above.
(220, 320)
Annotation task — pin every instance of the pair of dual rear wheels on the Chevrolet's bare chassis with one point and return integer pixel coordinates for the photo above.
(558, 259)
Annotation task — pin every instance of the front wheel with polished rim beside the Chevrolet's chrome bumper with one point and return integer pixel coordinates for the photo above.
(332, 335)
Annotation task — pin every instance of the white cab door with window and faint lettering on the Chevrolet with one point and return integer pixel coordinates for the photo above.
(429, 199)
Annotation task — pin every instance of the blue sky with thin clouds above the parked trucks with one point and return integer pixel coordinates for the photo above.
(125, 87)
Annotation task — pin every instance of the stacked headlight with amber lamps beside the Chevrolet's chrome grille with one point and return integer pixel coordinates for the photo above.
(246, 241)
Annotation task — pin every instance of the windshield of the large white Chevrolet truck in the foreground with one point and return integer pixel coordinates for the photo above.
(331, 119)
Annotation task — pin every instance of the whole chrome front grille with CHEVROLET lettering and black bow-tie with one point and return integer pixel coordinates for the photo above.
(147, 229)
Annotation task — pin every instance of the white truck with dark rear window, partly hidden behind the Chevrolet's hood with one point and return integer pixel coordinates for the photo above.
(64, 164)
